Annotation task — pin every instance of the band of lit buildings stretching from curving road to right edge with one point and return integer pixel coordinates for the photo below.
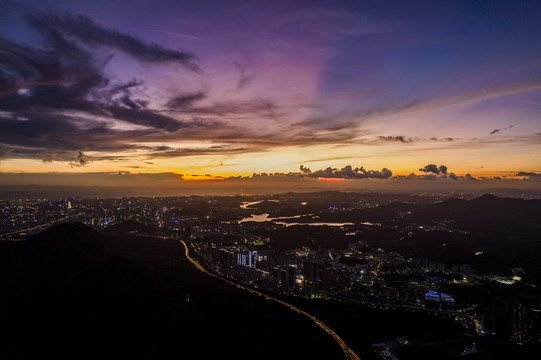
(374, 277)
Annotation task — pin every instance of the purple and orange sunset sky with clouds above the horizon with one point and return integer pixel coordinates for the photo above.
(317, 93)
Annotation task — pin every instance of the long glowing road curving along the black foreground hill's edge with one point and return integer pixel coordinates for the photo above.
(350, 354)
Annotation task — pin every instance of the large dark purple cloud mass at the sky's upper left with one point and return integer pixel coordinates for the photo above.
(55, 94)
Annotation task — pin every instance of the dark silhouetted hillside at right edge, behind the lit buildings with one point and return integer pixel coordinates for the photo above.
(494, 234)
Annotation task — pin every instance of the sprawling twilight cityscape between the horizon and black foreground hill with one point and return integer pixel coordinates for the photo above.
(336, 247)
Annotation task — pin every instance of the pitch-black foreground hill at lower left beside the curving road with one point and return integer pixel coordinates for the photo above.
(71, 292)
